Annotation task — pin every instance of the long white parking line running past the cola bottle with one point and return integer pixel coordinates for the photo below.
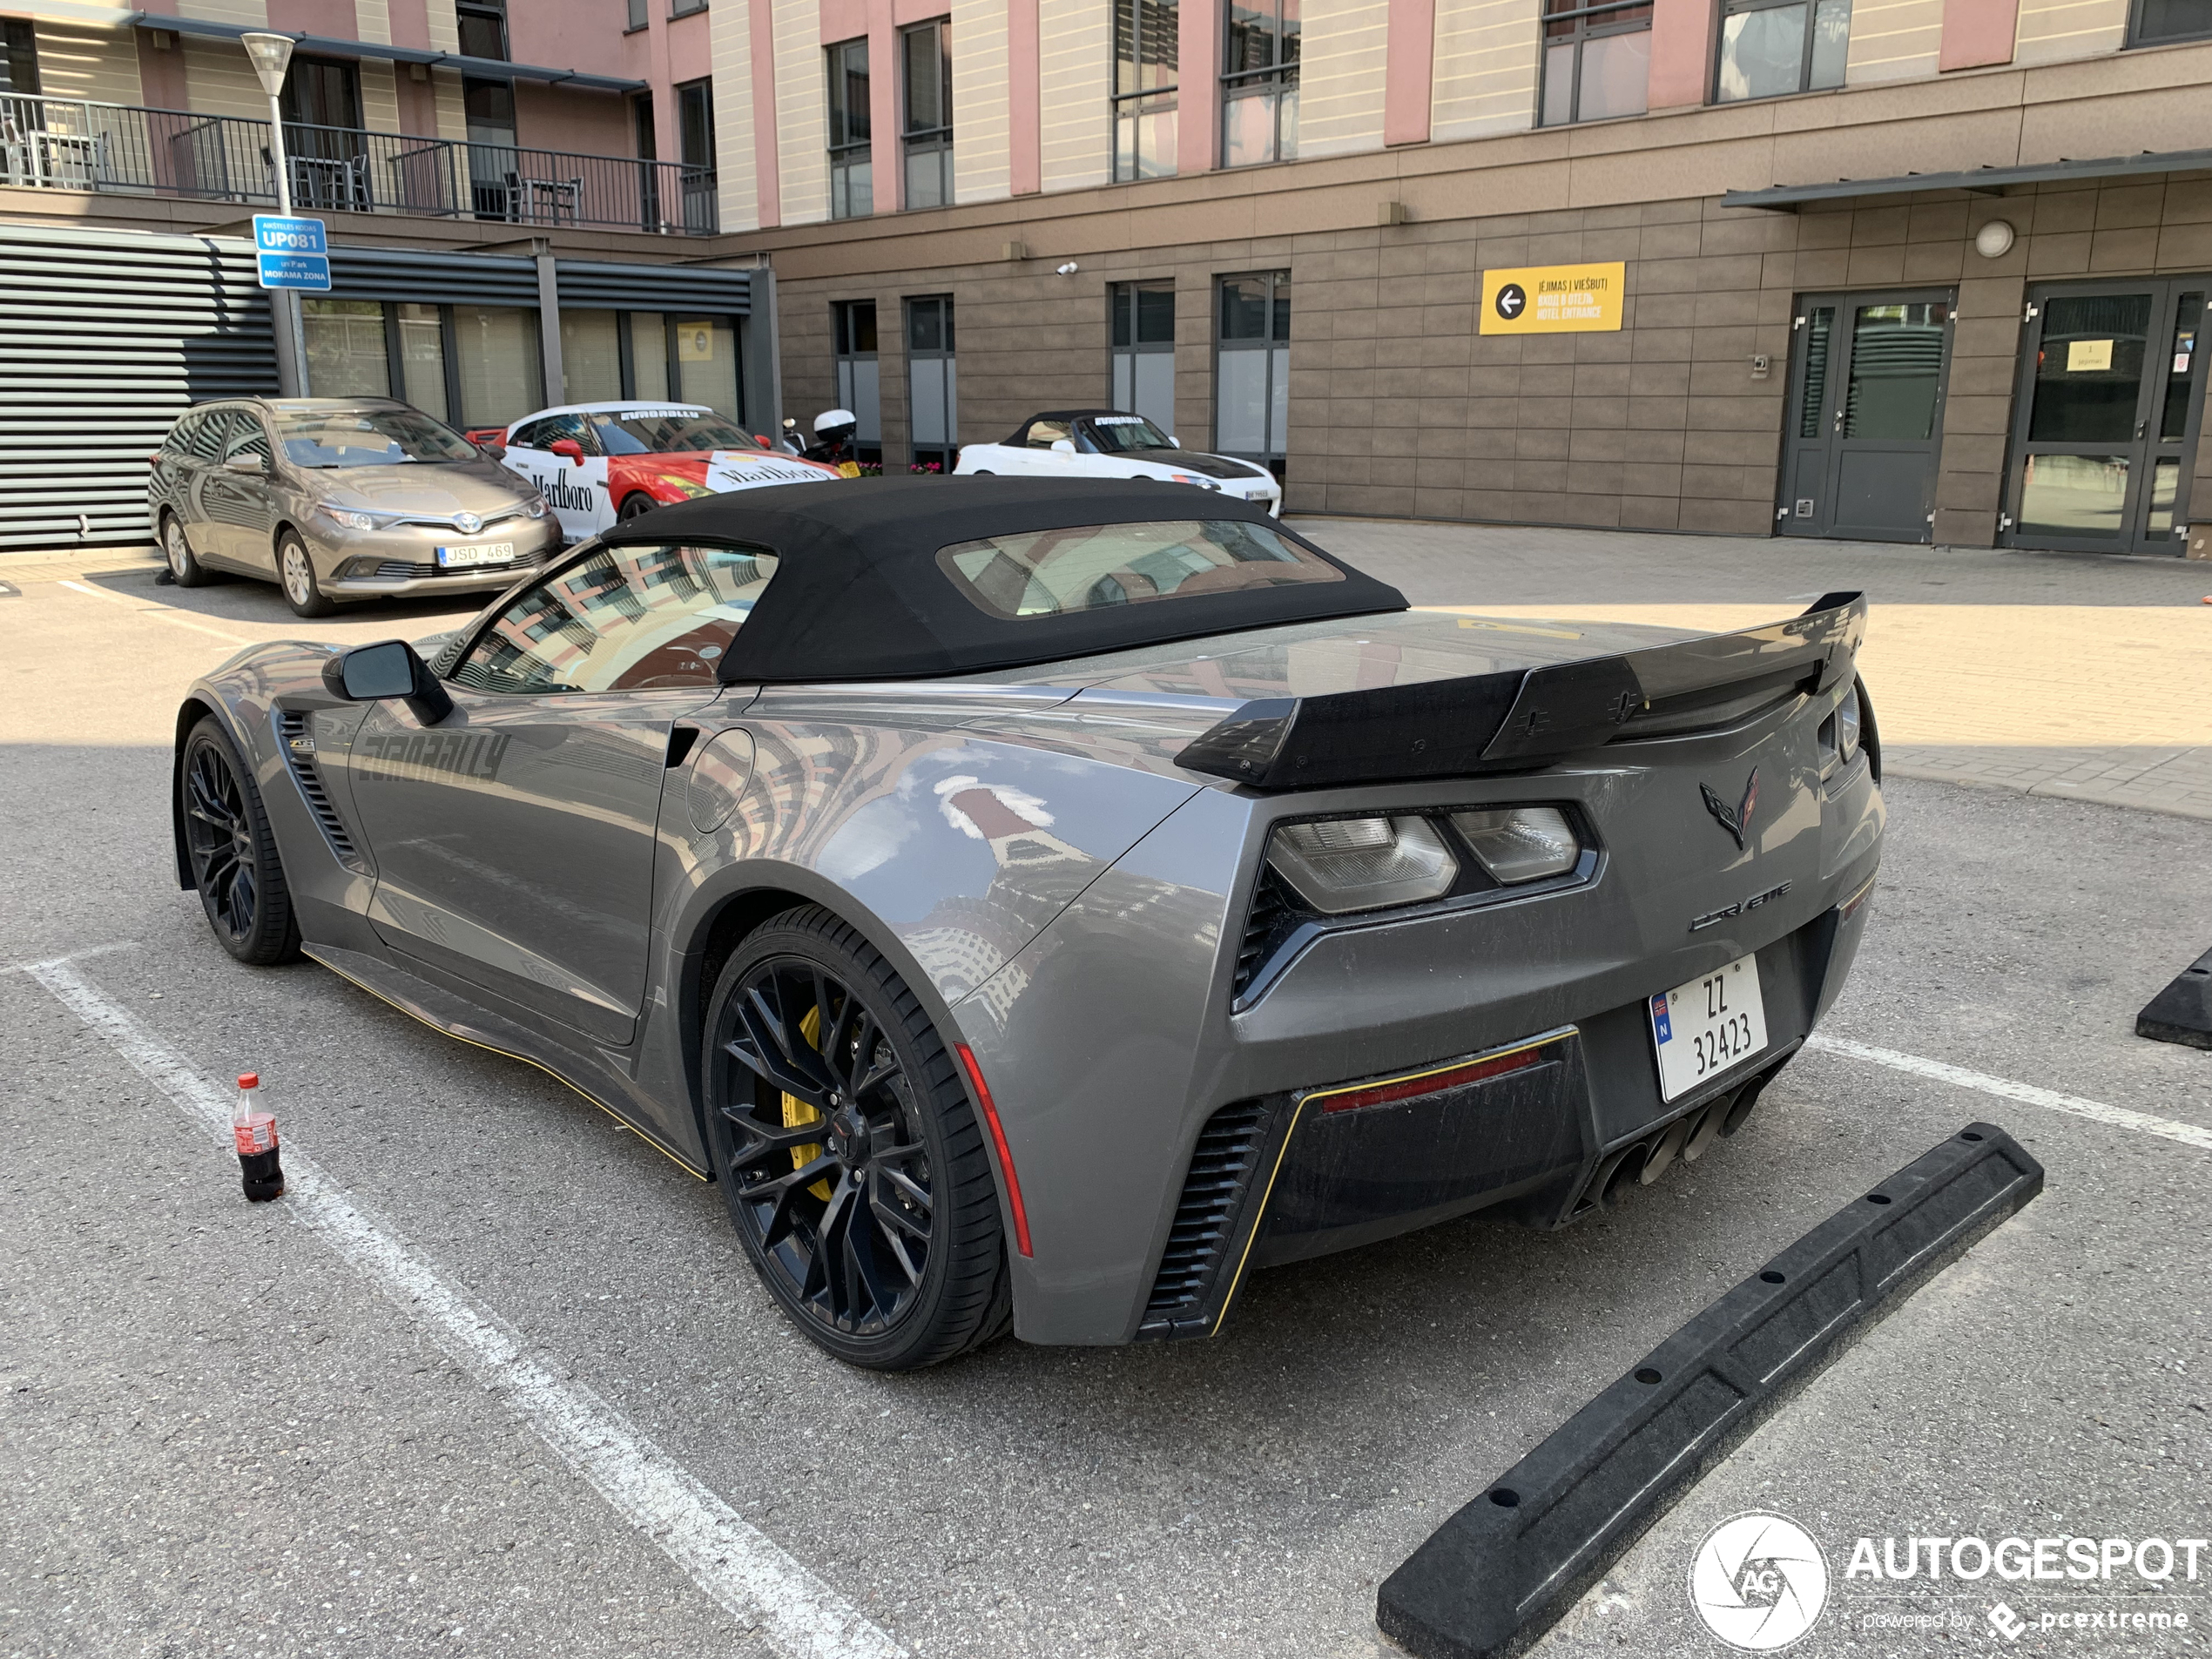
(733, 1563)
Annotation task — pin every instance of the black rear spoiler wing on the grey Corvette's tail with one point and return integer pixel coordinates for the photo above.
(1527, 718)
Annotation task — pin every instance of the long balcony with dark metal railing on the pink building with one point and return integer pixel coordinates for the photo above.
(123, 149)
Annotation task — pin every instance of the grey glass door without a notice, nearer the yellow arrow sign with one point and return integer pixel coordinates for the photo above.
(1866, 415)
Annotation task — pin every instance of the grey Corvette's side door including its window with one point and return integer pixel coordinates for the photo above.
(514, 842)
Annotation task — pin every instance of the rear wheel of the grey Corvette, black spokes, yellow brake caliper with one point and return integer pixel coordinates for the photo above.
(893, 1258)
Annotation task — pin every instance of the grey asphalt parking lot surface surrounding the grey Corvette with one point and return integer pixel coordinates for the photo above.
(225, 1432)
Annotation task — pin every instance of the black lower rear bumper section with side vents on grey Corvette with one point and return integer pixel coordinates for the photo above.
(1565, 1116)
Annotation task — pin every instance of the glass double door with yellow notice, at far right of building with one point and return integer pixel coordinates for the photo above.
(2111, 404)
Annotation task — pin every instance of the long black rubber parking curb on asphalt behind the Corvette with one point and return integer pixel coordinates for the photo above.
(1496, 1576)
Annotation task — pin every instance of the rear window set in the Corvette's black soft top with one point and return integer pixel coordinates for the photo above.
(1092, 567)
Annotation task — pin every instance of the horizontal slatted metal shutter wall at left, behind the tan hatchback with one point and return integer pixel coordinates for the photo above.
(105, 340)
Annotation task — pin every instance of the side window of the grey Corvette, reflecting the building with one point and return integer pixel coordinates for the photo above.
(627, 618)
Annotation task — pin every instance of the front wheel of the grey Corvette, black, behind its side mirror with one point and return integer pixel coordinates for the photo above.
(233, 851)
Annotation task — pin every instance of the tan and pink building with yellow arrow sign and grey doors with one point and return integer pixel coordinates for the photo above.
(1879, 269)
